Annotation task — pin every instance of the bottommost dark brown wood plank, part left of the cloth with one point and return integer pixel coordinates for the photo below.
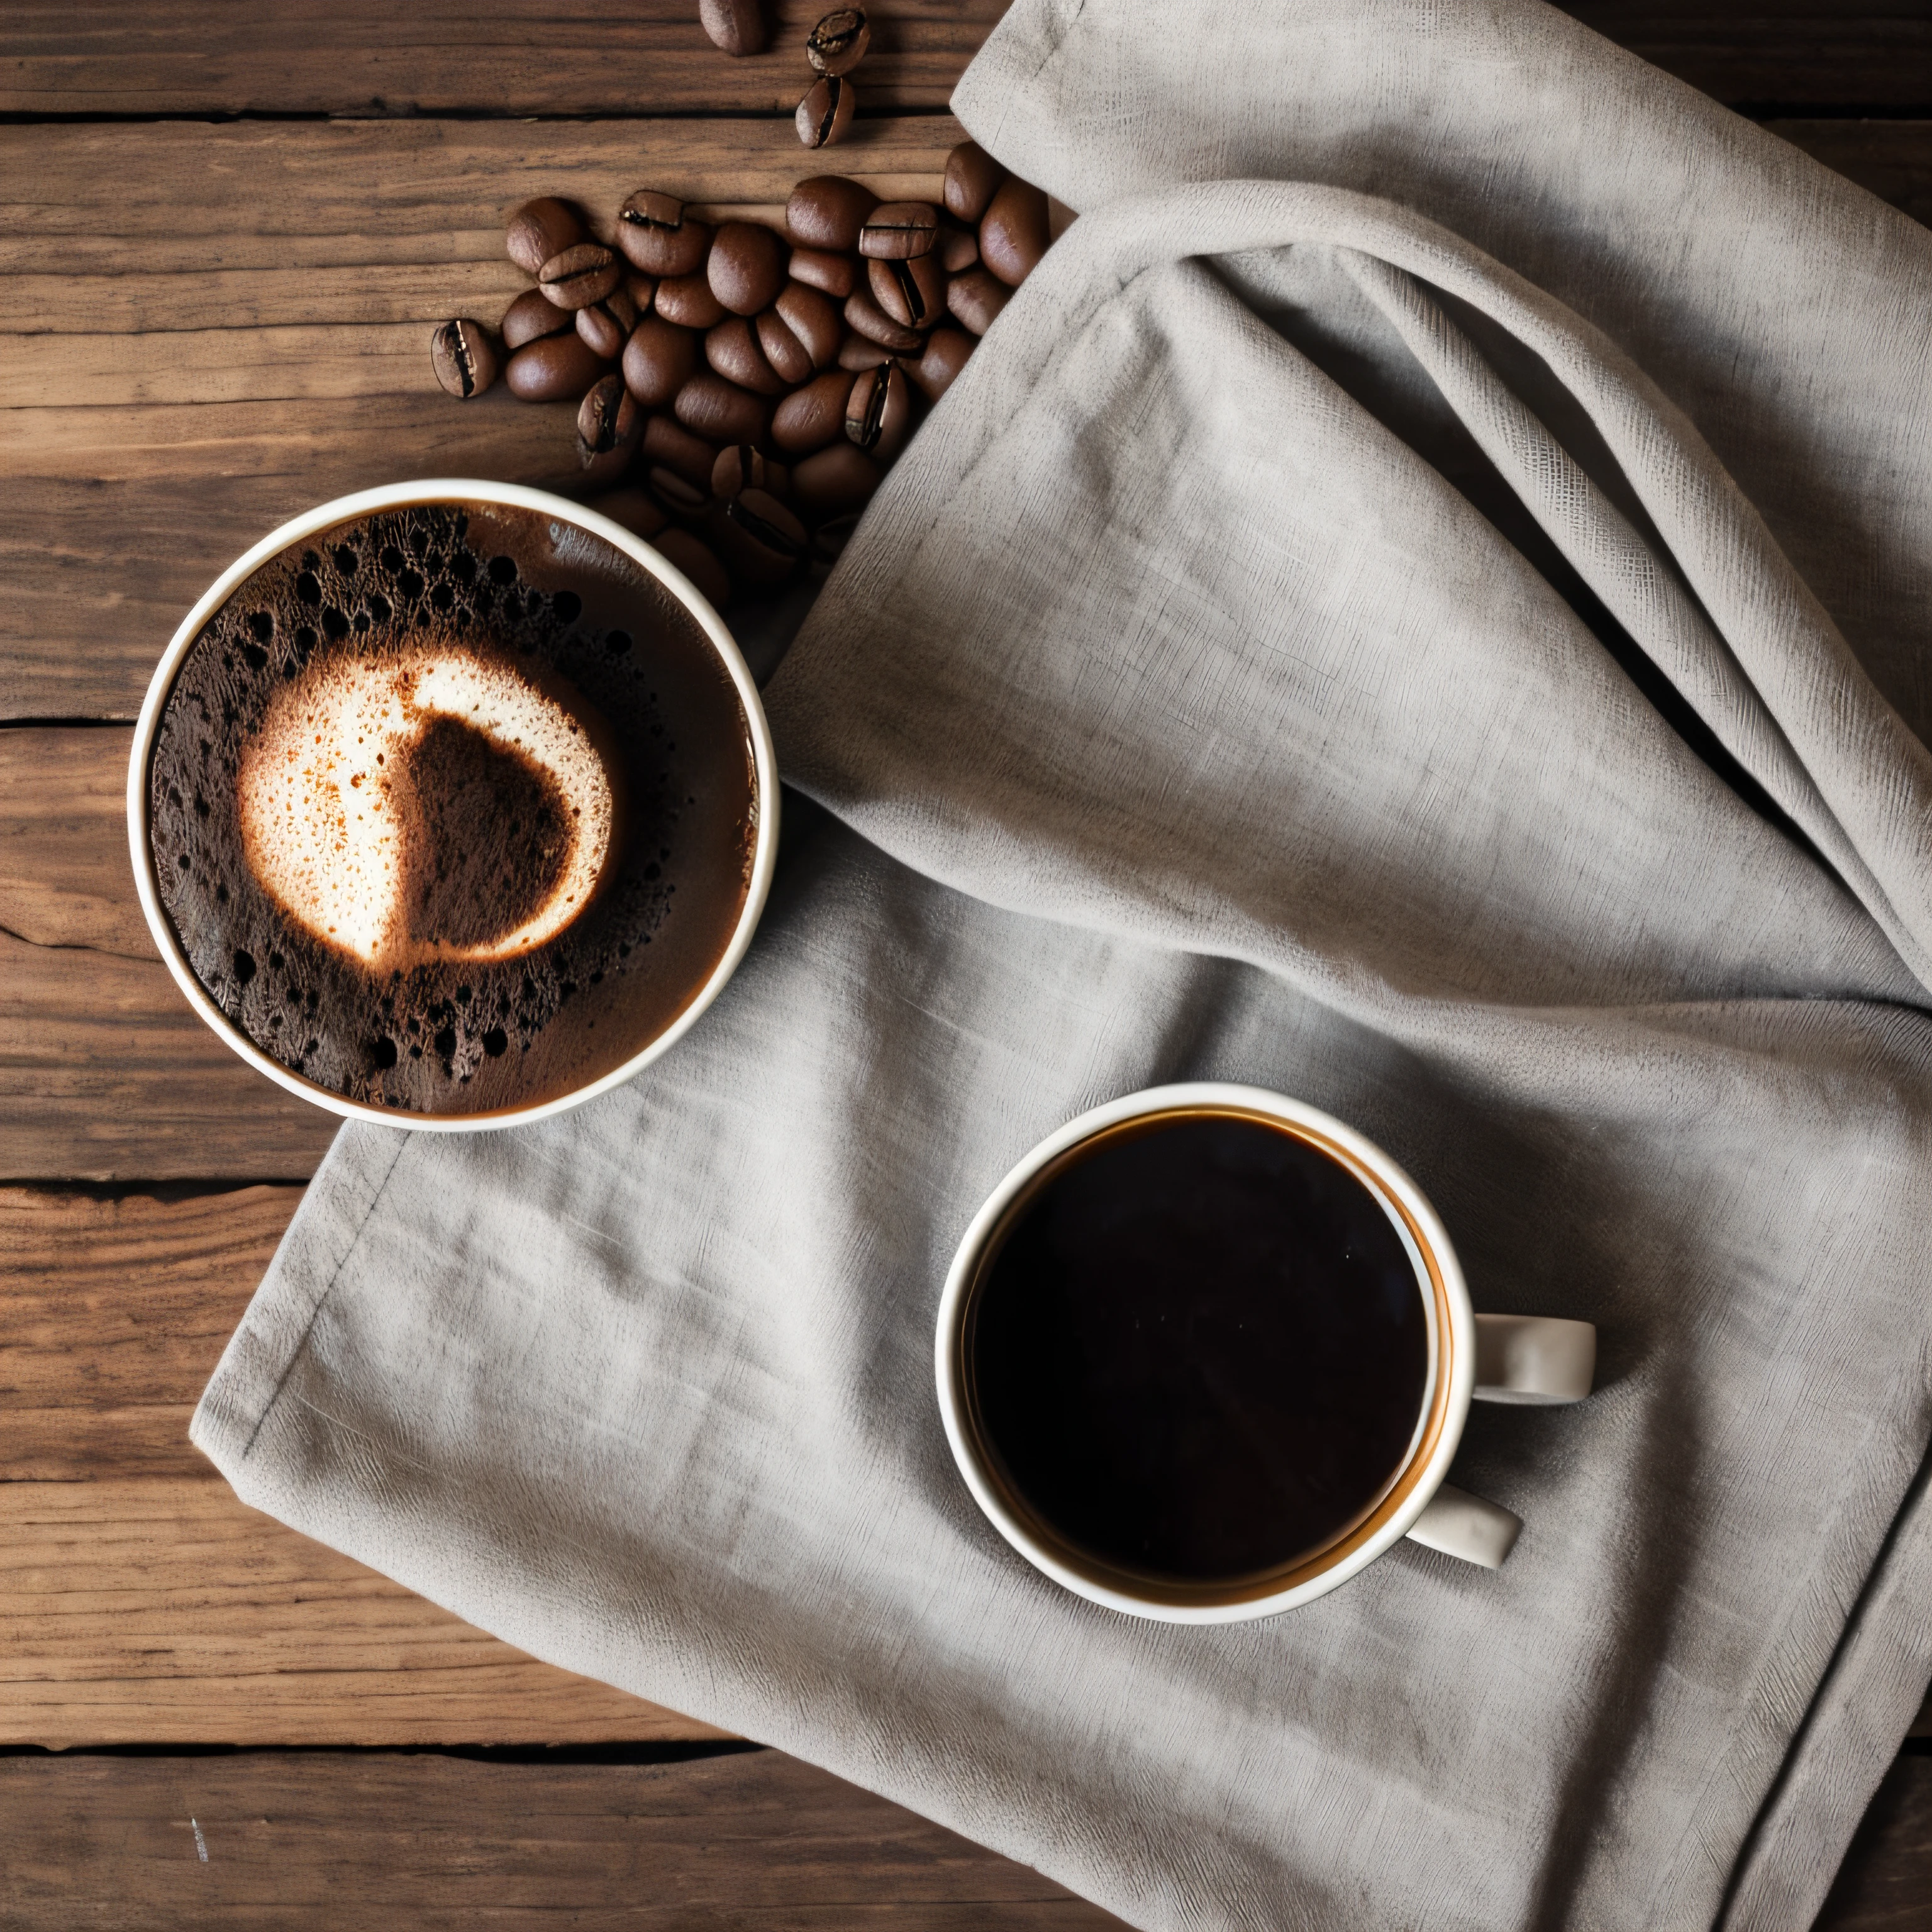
(277, 1840)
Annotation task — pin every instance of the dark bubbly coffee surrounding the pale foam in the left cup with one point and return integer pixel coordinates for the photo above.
(482, 832)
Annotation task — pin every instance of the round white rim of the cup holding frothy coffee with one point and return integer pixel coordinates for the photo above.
(401, 497)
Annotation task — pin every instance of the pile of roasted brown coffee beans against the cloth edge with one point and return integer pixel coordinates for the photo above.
(743, 393)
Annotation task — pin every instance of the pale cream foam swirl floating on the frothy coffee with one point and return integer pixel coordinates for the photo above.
(326, 795)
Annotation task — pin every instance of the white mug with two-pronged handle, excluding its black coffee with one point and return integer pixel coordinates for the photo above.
(1496, 1359)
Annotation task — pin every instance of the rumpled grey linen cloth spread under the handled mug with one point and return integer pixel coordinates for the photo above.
(1458, 654)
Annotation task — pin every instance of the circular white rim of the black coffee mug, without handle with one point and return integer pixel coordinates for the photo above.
(1293, 1114)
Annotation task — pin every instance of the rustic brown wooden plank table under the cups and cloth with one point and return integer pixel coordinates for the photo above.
(227, 235)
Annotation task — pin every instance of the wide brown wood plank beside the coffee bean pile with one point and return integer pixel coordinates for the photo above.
(210, 329)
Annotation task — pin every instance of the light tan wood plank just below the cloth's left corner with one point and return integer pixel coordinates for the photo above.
(161, 1610)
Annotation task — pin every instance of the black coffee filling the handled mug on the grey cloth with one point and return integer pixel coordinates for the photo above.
(1197, 1350)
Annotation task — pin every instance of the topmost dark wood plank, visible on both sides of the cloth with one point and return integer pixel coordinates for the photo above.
(627, 57)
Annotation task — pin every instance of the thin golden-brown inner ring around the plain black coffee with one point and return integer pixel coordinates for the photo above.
(1222, 1591)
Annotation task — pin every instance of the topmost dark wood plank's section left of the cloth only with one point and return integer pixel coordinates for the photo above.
(366, 57)
